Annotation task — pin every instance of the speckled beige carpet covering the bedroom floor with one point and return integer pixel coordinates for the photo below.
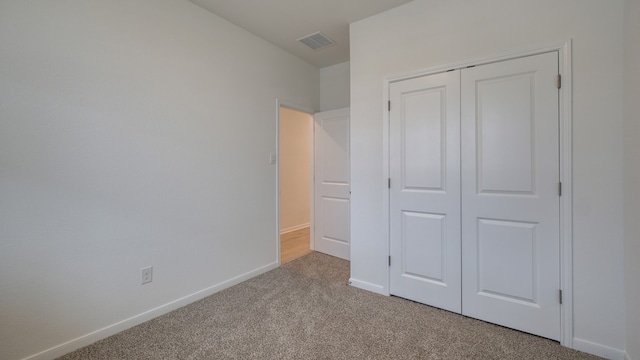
(306, 310)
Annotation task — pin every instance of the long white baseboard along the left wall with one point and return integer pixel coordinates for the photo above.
(113, 329)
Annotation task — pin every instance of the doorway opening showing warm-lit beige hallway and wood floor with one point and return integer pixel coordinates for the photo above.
(296, 182)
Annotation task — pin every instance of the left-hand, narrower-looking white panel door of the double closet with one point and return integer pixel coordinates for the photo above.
(425, 190)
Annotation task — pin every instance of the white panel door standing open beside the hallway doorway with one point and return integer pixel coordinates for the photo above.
(332, 185)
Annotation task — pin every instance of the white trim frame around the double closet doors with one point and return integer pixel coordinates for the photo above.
(566, 176)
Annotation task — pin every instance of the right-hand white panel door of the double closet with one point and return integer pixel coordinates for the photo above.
(510, 200)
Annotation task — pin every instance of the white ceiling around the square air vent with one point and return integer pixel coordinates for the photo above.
(282, 22)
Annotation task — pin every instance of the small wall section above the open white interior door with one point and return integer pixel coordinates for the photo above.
(334, 87)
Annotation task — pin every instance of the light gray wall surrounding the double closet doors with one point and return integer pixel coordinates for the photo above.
(428, 33)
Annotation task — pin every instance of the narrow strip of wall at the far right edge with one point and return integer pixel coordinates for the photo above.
(632, 174)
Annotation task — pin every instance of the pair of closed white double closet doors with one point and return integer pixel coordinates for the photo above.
(474, 194)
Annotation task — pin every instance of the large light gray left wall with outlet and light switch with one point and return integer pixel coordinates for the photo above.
(132, 133)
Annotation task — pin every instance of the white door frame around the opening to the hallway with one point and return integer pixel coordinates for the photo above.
(293, 106)
